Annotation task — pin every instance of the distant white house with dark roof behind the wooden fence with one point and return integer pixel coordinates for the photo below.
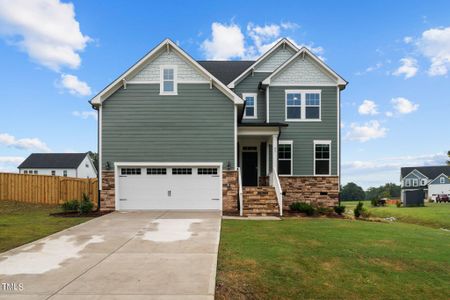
(78, 165)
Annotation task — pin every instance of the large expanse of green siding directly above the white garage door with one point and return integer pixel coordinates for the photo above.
(139, 125)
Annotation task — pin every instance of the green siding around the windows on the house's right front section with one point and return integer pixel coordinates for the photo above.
(303, 134)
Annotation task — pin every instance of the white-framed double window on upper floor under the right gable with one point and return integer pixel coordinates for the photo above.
(303, 105)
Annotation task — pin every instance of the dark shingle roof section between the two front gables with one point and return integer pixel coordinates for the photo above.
(225, 71)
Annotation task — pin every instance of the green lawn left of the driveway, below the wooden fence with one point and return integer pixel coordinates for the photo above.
(21, 223)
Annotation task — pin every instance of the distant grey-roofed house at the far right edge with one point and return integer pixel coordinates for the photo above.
(427, 181)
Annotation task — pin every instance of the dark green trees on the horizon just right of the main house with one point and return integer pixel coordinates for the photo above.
(353, 192)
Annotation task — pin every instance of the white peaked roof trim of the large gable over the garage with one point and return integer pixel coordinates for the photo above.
(166, 44)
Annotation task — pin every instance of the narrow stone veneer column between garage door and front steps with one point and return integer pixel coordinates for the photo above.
(230, 192)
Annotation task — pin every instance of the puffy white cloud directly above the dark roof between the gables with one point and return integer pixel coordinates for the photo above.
(227, 42)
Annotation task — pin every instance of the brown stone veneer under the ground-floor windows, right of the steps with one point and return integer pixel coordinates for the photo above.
(308, 188)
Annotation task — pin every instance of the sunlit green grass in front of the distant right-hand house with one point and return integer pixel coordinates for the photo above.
(436, 215)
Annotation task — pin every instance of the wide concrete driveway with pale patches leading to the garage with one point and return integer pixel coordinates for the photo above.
(130, 255)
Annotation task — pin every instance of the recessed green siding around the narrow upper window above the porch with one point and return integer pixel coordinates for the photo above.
(250, 85)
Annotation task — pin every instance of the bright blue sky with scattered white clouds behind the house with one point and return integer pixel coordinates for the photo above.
(56, 54)
